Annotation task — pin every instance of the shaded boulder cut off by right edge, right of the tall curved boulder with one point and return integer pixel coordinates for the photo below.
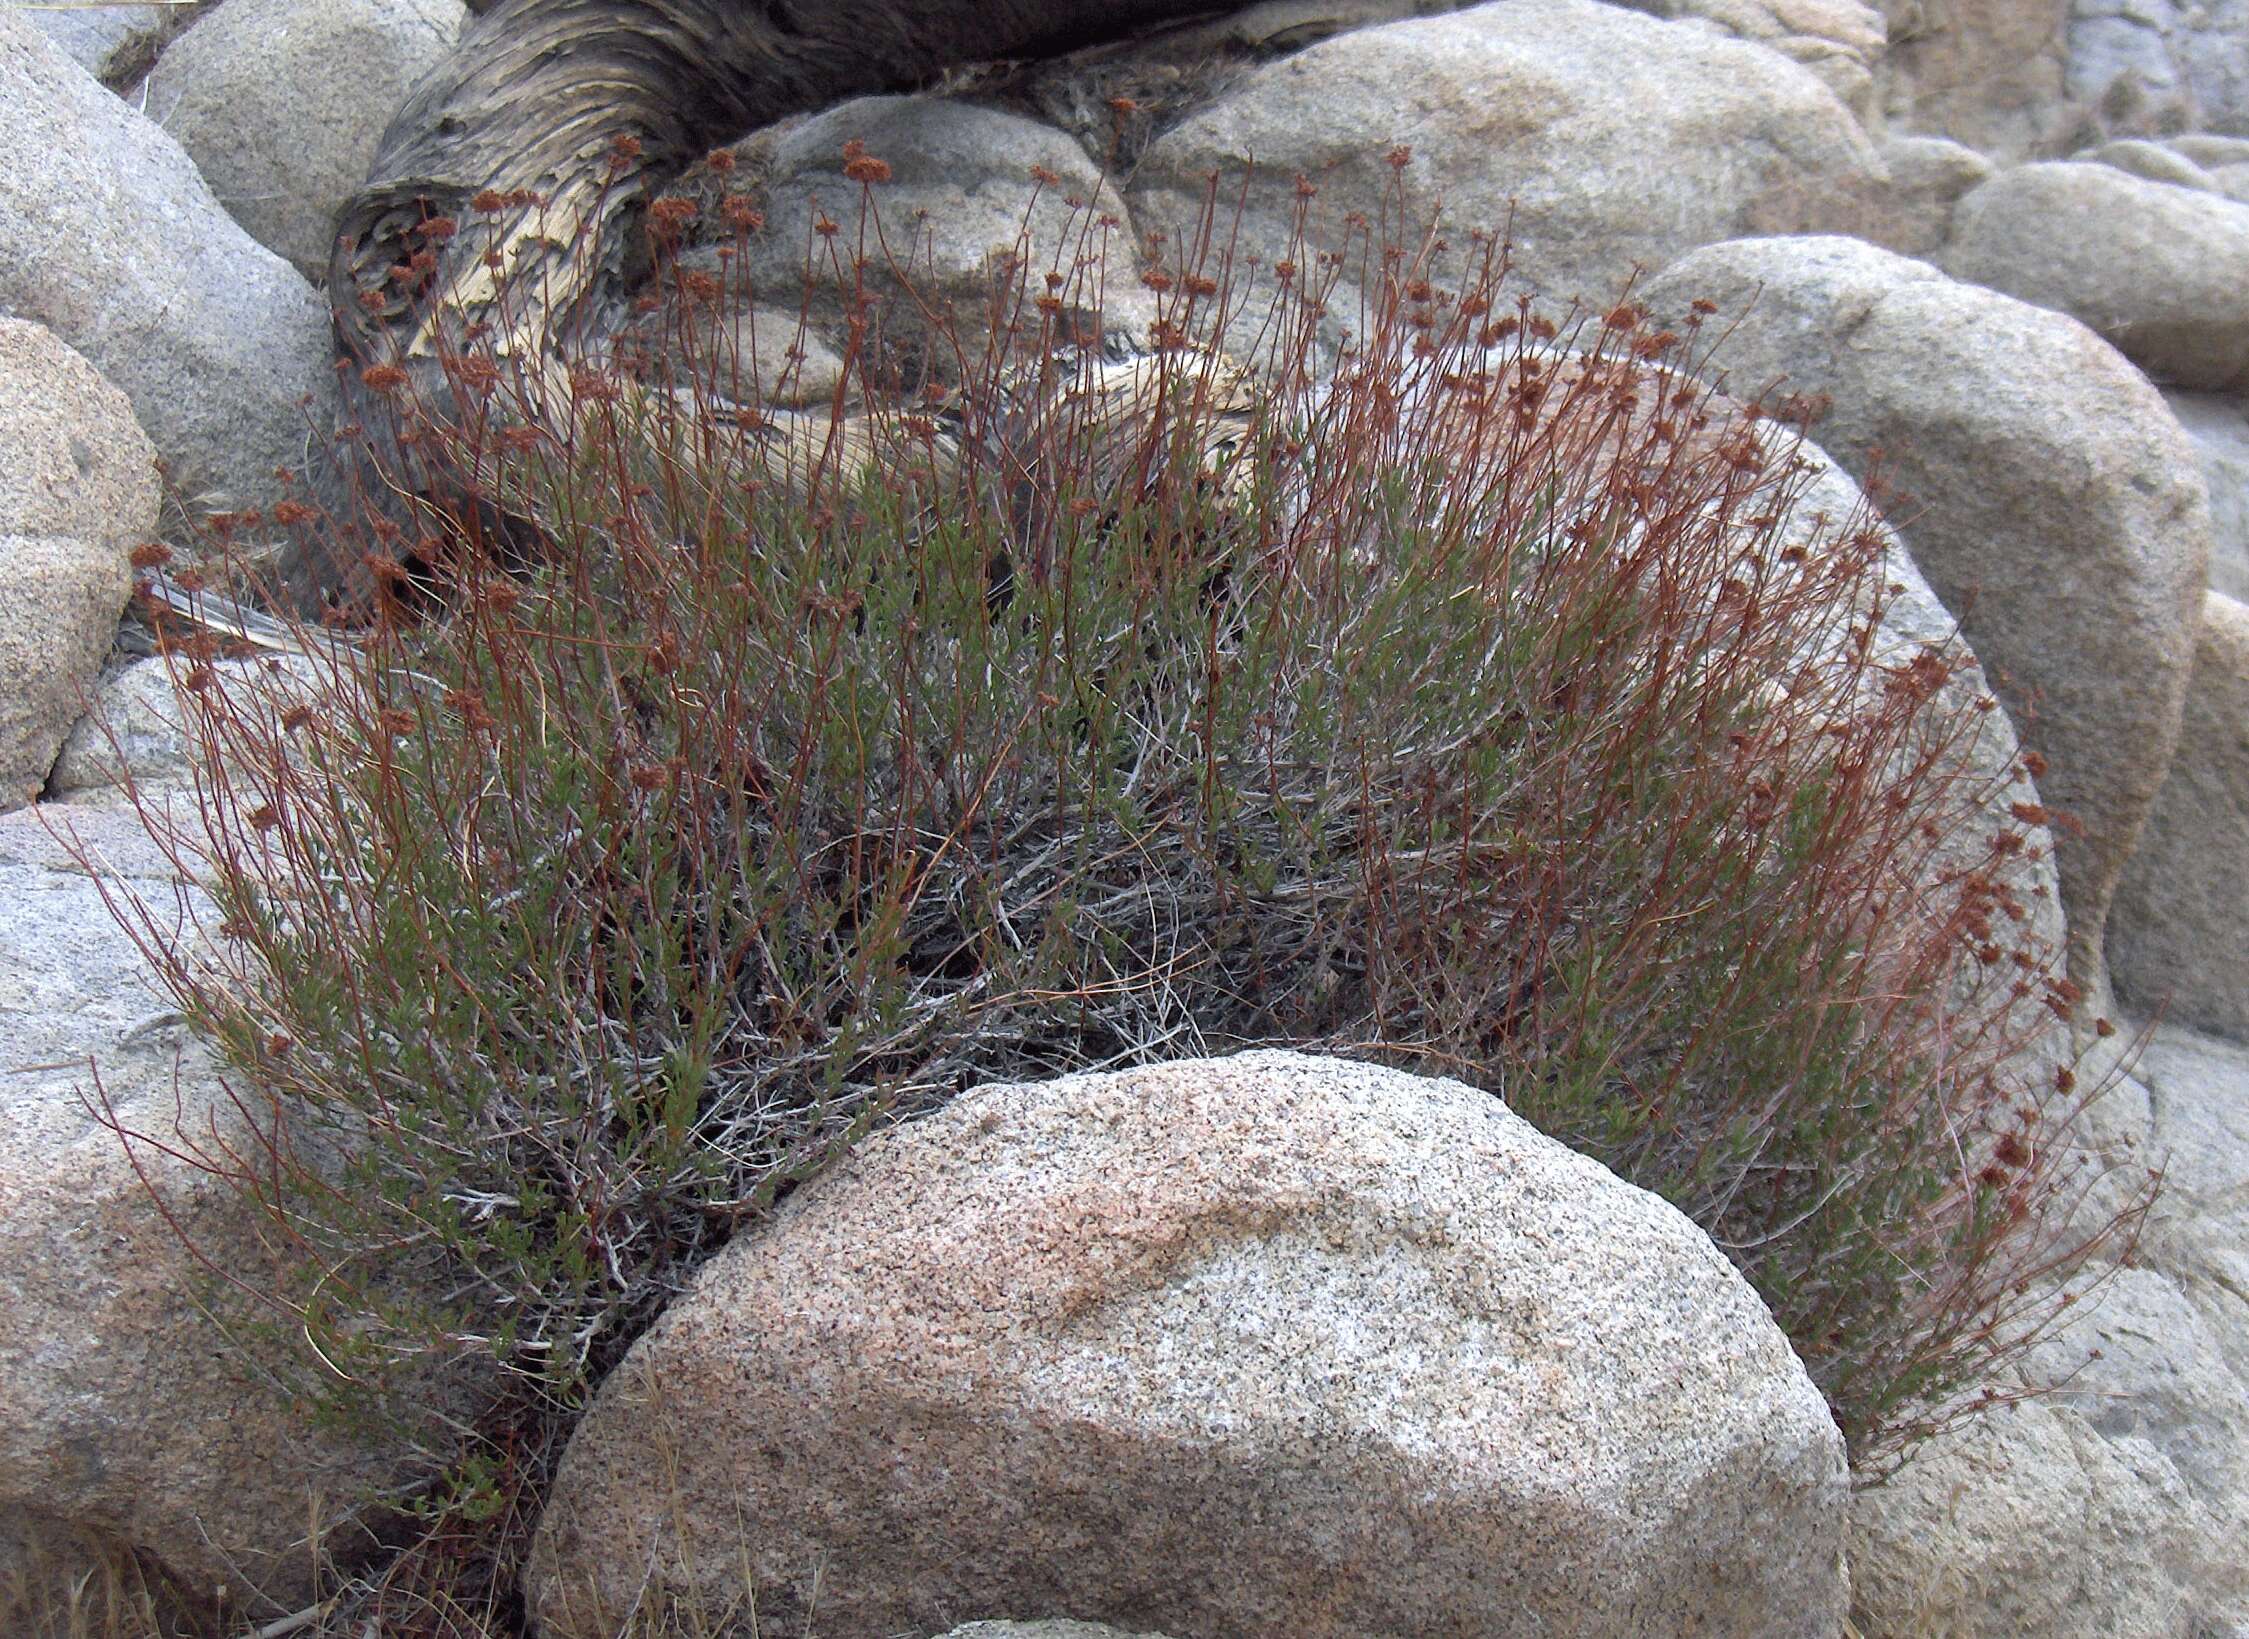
(2180, 930)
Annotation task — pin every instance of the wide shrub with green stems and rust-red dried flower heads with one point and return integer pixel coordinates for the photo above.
(1479, 705)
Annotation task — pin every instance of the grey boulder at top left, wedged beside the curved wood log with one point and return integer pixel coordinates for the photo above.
(282, 105)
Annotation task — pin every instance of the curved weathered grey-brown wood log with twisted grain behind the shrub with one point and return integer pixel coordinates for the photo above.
(577, 114)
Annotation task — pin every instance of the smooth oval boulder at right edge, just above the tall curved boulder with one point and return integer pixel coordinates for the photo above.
(2151, 266)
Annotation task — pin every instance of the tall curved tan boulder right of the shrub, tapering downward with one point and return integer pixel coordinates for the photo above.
(2052, 502)
